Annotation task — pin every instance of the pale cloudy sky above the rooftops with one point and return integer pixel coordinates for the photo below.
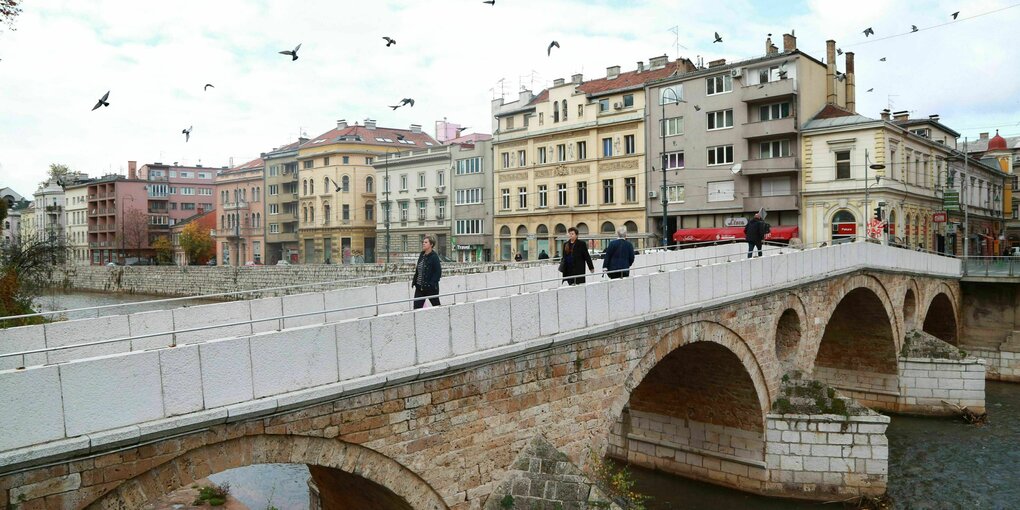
(452, 57)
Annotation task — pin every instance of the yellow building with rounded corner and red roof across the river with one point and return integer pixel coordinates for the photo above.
(337, 187)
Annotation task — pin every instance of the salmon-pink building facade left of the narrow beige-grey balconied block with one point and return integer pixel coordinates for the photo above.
(240, 210)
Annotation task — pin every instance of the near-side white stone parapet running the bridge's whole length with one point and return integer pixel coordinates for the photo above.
(131, 397)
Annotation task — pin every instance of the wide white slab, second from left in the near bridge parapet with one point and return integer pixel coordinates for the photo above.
(112, 392)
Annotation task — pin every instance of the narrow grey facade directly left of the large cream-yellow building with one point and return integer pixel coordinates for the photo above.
(472, 193)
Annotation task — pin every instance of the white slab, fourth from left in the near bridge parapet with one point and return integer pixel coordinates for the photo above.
(227, 373)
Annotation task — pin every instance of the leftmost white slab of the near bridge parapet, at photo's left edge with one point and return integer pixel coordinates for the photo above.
(31, 411)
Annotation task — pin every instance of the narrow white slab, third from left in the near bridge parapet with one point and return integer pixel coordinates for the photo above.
(181, 370)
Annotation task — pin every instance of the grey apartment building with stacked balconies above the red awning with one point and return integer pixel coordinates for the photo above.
(728, 136)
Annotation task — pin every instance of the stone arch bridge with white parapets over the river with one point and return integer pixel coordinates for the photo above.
(681, 368)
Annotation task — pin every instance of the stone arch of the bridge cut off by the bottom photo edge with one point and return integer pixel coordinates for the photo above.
(378, 478)
